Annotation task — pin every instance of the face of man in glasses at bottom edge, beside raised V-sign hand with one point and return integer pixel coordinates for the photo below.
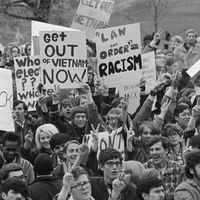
(81, 189)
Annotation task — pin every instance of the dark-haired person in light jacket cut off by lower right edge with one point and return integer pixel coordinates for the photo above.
(190, 189)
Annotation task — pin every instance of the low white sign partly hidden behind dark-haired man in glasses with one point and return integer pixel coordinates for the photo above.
(113, 140)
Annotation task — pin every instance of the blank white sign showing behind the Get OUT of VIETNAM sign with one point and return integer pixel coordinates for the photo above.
(36, 27)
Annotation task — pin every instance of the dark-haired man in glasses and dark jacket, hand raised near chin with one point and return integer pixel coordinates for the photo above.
(111, 186)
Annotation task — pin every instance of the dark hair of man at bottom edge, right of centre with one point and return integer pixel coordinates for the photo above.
(146, 184)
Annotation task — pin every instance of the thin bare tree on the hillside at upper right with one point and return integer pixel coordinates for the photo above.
(158, 9)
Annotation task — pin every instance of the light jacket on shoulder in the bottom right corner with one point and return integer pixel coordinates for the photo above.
(187, 190)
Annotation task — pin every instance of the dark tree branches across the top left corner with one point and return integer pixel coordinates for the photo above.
(38, 10)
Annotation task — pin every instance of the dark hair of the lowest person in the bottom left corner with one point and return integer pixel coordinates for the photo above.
(16, 185)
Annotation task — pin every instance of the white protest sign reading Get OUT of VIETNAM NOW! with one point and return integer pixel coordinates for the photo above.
(64, 59)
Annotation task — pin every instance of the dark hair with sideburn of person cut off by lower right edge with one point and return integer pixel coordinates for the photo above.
(192, 160)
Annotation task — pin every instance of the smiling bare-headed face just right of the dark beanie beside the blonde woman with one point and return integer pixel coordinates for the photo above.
(72, 152)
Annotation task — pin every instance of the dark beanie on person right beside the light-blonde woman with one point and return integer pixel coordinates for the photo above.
(58, 139)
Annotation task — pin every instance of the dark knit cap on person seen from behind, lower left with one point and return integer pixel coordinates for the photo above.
(43, 164)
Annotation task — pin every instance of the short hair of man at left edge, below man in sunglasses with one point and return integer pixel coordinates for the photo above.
(7, 168)
